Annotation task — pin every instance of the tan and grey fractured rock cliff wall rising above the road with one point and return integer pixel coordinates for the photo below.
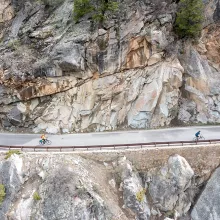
(61, 76)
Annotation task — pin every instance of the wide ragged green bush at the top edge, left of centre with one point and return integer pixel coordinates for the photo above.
(99, 9)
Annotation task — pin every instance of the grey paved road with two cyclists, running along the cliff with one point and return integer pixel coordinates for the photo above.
(123, 137)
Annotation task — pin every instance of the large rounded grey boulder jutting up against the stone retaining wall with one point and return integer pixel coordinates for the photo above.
(168, 188)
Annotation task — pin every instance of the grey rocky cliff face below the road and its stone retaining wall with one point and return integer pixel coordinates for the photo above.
(68, 186)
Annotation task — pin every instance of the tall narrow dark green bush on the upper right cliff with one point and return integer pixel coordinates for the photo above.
(189, 18)
